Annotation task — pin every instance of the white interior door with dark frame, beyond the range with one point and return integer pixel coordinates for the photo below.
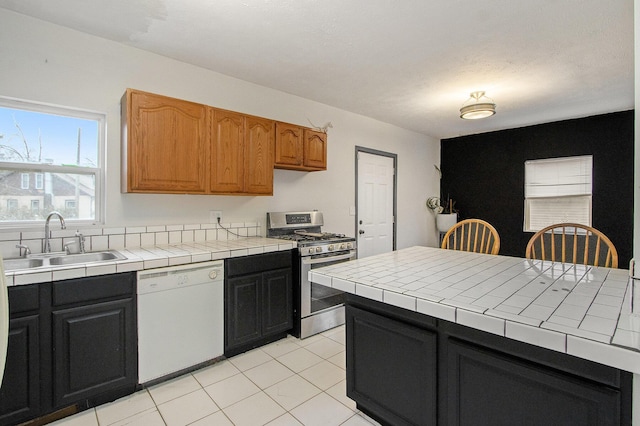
(376, 191)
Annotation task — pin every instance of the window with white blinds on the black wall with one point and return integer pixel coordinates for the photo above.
(557, 190)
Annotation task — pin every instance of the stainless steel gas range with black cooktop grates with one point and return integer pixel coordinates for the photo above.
(316, 307)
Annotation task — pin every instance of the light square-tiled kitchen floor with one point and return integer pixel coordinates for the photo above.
(289, 382)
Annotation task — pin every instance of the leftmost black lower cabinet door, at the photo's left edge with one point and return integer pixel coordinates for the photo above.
(20, 392)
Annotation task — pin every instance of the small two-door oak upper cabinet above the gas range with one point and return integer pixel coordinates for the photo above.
(300, 148)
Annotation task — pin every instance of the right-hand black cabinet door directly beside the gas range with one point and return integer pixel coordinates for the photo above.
(277, 301)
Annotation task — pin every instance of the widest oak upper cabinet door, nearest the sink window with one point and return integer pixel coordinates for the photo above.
(166, 144)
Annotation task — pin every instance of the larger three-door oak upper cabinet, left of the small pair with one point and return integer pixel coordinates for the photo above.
(175, 146)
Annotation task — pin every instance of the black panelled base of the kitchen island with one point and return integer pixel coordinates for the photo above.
(405, 368)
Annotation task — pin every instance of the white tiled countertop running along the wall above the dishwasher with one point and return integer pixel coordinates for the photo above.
(152, 257)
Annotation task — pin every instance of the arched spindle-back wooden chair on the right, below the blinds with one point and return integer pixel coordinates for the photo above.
(572, 243)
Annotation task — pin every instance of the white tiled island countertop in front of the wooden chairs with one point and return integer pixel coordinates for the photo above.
(580, 310)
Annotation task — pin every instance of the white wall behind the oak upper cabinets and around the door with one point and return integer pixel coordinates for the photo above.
(47, 63)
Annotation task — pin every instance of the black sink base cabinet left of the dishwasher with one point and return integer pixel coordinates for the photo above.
(72, 343)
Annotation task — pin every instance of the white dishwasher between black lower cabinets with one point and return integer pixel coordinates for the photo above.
(180, 318)
